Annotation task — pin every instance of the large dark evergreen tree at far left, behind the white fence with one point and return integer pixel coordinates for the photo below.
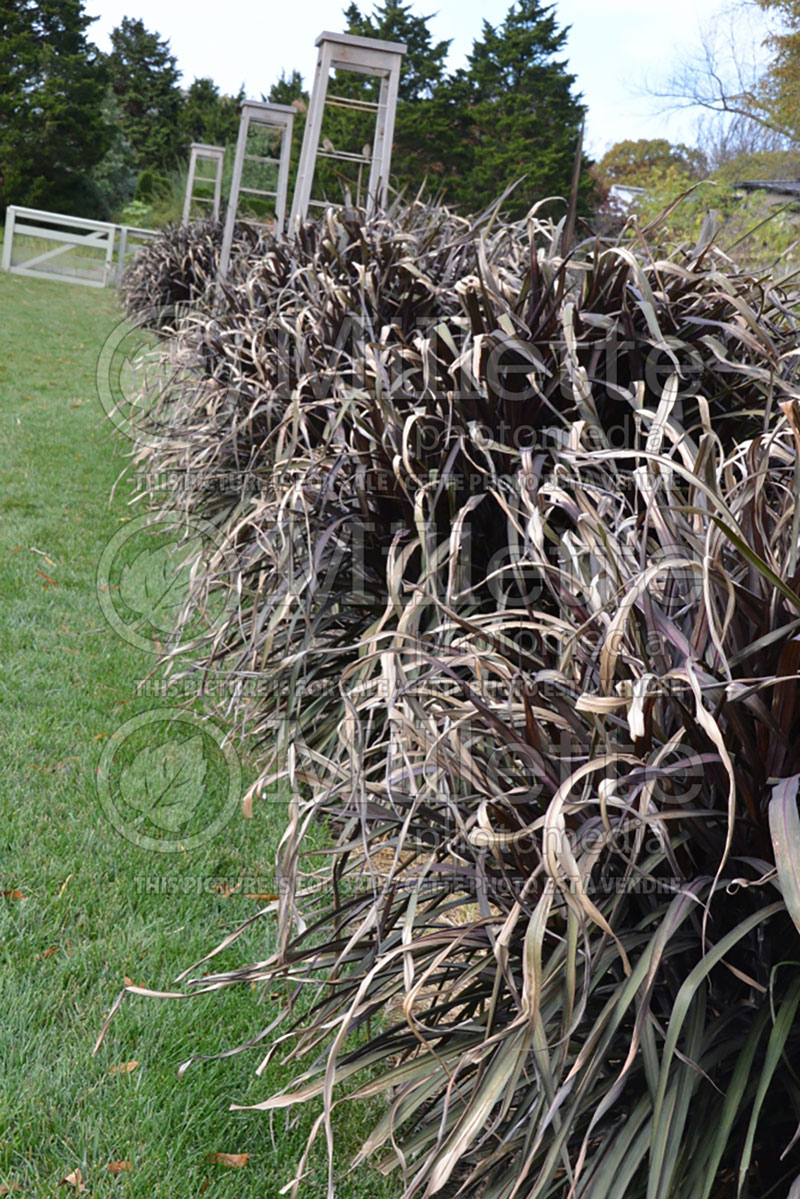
(52, 91)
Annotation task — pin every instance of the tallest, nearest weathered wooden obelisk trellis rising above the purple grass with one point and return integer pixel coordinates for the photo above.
(363, 56)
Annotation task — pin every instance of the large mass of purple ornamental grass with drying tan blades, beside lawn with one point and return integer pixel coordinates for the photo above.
(515, 549)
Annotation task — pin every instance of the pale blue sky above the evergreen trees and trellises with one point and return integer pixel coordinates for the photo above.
(616, 46)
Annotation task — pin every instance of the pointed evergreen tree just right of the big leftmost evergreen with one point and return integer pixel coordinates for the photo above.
(145, 77)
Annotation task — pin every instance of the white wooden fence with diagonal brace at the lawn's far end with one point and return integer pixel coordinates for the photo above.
(69, 250)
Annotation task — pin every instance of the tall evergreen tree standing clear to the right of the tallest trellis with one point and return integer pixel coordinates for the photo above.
(519, 112)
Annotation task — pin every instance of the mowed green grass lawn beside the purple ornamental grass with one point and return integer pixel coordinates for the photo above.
(79, 913)
